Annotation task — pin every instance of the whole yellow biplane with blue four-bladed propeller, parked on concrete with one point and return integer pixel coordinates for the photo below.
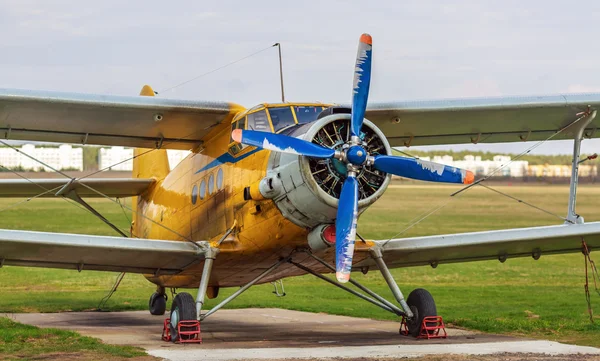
(275, 191)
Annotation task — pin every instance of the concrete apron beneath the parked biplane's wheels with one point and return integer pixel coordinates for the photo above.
(281, 334)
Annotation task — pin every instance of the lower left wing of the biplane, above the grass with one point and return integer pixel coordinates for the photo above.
(99, 253)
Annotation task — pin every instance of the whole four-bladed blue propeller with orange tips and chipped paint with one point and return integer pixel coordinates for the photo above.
(355, 157)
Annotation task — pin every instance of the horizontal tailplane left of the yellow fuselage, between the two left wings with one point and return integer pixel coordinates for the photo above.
(112, 187)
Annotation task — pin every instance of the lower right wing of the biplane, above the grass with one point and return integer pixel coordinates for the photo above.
(487, 245)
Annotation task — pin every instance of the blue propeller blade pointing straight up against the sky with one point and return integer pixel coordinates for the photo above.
(362, 81)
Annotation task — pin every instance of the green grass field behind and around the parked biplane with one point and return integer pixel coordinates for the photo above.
(542, 298)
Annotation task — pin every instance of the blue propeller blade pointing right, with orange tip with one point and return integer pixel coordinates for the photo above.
(422, 170)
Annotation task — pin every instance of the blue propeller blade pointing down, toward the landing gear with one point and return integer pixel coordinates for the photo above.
(345, 228)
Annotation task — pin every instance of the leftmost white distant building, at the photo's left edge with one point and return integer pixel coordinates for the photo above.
(63, 157)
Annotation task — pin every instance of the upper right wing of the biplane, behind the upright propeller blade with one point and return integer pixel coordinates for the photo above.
(484, 120)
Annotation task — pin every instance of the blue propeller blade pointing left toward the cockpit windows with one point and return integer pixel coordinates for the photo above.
(281, 143)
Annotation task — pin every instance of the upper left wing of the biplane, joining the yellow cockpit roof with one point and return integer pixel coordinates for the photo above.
(145, 122)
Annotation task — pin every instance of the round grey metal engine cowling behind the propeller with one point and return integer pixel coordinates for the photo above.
(310, 188)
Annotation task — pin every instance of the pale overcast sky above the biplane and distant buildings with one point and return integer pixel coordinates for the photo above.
(422, 50)
